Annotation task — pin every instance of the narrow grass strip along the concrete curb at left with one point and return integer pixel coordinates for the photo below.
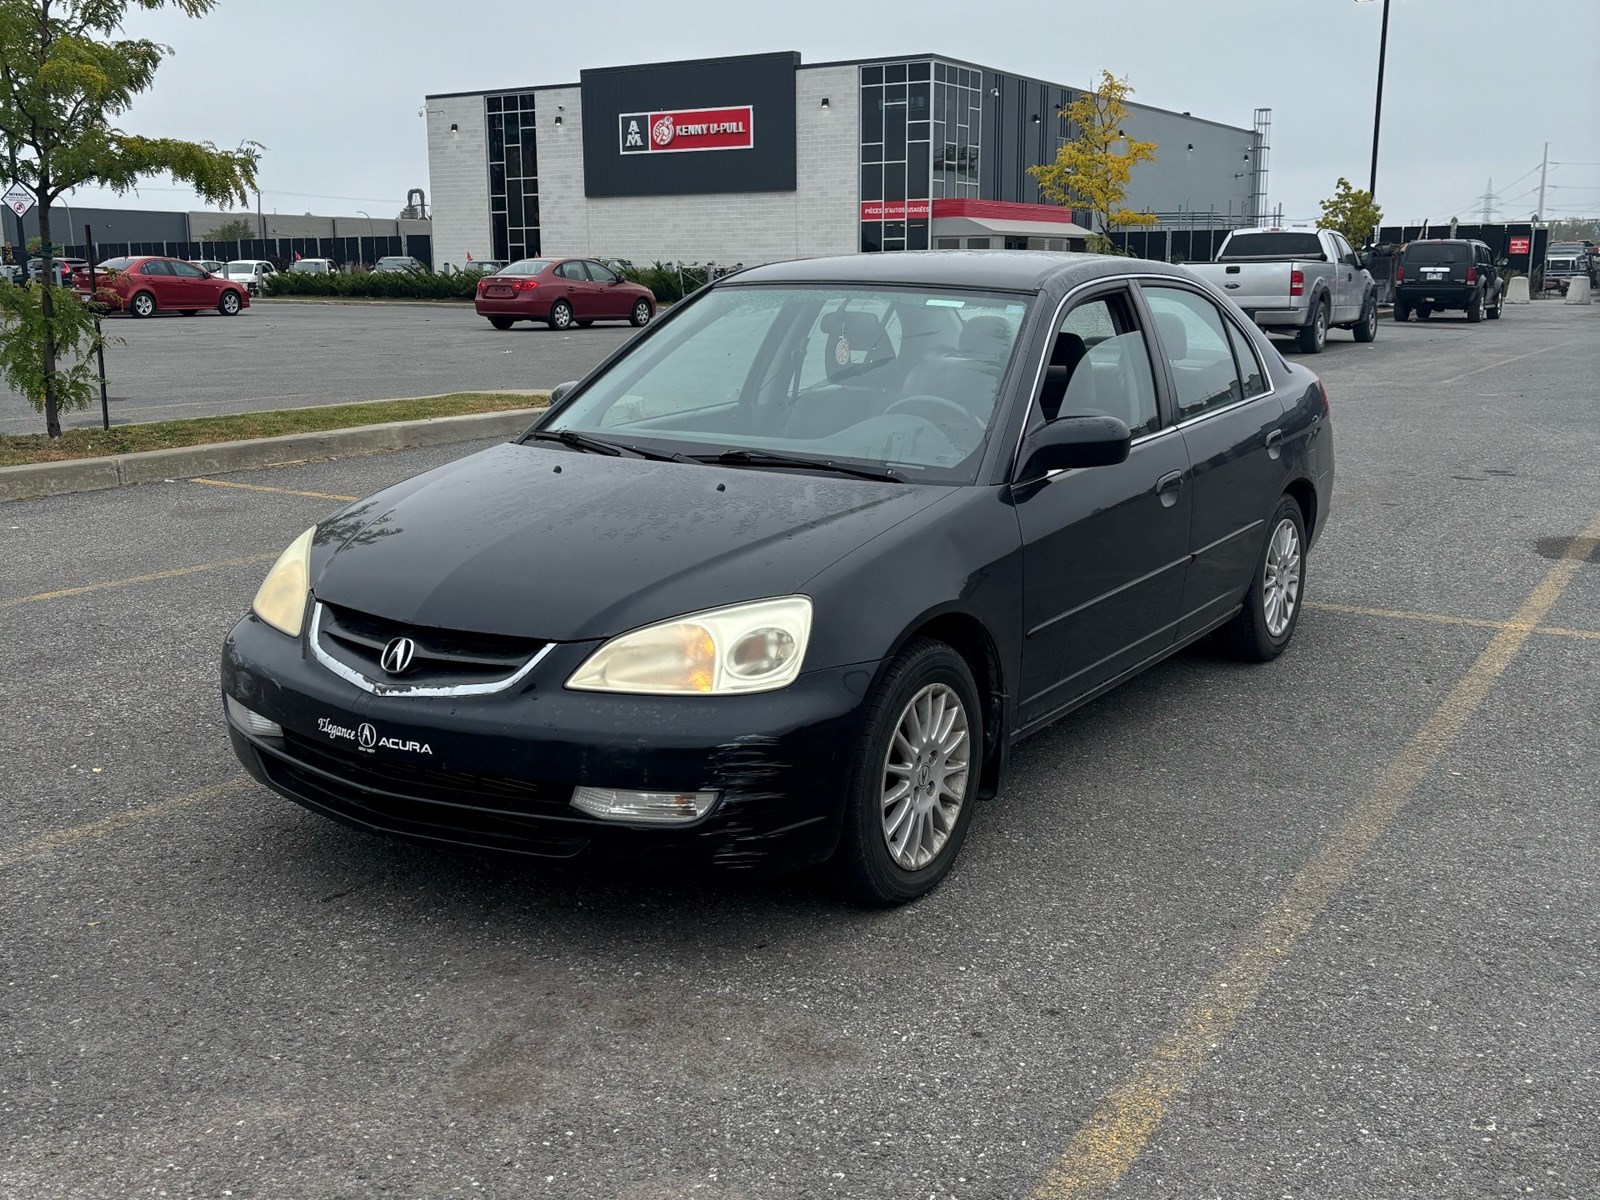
(20, 449)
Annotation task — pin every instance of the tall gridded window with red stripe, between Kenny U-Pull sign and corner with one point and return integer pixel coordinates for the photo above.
(897, 154)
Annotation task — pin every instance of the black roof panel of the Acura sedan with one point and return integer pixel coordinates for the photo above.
(998, 270)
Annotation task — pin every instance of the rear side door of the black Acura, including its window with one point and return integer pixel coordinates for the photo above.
(1233, 426)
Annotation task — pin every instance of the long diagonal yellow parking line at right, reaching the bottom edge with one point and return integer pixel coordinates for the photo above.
(1122, 1126)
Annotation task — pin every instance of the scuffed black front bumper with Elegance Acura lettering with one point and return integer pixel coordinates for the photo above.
(500, 770)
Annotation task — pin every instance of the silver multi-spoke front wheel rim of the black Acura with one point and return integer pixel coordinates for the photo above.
(926, 777)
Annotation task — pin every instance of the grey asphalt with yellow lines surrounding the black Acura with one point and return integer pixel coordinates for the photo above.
(1316, 929)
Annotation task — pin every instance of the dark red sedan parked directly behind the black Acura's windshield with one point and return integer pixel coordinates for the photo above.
(562, 292)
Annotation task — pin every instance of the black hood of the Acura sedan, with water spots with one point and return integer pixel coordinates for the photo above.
(545, 543)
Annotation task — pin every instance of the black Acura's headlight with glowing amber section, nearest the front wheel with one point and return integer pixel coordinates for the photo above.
(726, 652)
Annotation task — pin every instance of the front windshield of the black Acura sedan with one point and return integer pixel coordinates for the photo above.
(900, 378)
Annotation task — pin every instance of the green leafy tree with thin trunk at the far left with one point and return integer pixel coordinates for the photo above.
(65, 79)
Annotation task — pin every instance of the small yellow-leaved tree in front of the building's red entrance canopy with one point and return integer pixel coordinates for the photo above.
(1094, 170)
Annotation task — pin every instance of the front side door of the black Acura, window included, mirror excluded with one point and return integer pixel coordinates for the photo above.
(1105, 550)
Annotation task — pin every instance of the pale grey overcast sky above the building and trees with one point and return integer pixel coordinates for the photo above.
(334, 87)
